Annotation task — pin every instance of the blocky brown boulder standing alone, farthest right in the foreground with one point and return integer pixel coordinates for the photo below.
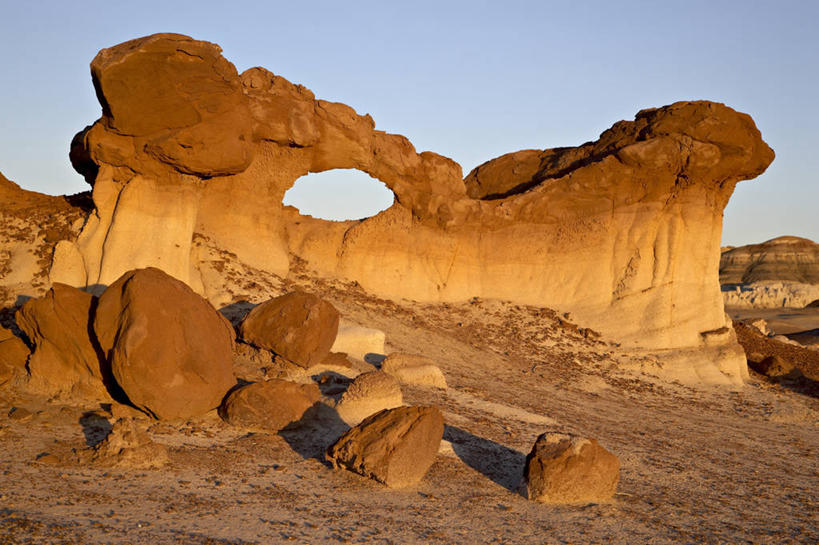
(564, 468)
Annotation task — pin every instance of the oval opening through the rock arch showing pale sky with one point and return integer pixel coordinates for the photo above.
(339, 195)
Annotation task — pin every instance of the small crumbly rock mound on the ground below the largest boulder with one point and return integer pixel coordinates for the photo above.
(126, 446)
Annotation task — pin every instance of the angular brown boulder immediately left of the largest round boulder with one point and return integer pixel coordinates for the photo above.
(65, 360)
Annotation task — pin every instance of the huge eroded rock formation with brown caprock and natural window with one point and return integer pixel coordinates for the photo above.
(191, 158)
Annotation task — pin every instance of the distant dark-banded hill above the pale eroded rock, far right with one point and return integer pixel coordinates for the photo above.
(788, 258)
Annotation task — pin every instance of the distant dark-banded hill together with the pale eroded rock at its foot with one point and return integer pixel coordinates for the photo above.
(781, 272)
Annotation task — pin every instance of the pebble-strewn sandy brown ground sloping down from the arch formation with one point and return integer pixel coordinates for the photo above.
(698, 465)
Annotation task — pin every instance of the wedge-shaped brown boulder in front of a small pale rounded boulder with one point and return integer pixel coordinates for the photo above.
(395, 446)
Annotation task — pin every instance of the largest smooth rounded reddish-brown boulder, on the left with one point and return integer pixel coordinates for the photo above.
(170, 351)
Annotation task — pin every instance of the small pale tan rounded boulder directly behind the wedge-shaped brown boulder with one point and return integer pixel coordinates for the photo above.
(368, 394)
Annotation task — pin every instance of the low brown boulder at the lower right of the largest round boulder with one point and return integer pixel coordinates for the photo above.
(268, 406)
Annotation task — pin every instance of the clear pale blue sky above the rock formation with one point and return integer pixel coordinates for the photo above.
(470, 80)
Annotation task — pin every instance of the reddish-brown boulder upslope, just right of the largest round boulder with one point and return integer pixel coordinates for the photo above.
(298, 326)
